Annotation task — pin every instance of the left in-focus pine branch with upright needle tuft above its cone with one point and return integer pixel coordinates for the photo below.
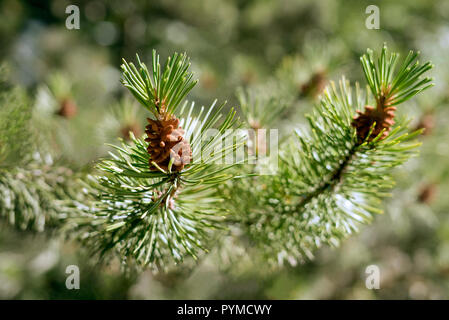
(148, 211)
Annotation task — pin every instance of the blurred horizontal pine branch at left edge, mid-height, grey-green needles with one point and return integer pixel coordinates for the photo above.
(36, 197)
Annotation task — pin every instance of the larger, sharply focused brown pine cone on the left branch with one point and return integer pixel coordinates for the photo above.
(166, 141)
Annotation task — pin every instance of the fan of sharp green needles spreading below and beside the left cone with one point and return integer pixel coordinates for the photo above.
(157, 218)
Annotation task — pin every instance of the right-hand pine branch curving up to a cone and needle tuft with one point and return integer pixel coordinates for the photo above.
(331, 179)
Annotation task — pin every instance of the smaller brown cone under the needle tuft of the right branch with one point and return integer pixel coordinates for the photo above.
(382, 116)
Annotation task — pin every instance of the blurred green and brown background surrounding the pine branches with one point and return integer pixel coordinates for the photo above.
(72, 77)
